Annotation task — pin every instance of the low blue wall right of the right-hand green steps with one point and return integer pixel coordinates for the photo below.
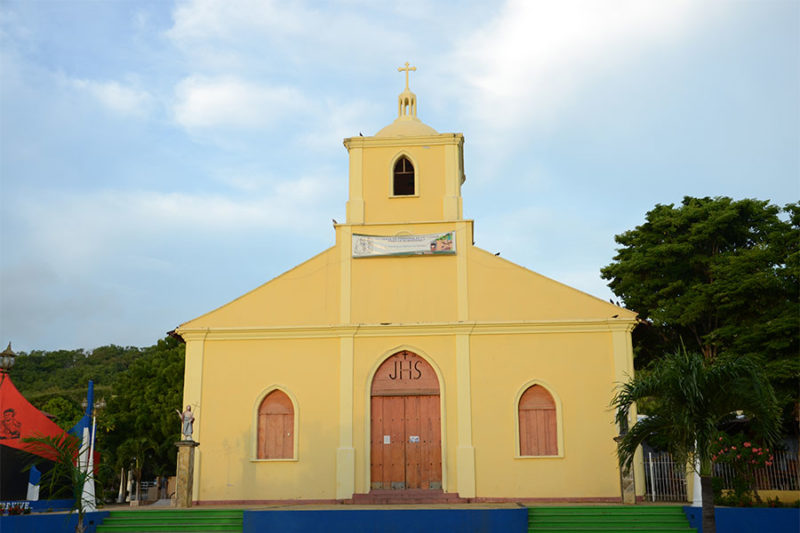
(748, 519)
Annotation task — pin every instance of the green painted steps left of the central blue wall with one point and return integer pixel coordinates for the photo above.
(173, 520)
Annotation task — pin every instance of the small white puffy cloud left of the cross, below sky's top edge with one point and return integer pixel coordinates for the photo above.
(230, 102)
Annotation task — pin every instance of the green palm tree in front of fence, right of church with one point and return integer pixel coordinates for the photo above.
(690, 398)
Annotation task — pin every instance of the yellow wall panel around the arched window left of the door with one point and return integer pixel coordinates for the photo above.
(236, 374)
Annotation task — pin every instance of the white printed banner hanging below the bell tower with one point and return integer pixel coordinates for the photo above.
(429, 244)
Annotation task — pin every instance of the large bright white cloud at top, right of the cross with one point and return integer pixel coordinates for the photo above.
(528, 63)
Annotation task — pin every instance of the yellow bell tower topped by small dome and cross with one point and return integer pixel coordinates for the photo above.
(407, 172)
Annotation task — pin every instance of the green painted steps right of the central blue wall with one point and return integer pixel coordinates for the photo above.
(608, 519)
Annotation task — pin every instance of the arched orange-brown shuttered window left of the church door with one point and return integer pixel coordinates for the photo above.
(276, 427)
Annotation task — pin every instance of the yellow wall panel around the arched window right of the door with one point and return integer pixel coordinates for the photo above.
(576, 369)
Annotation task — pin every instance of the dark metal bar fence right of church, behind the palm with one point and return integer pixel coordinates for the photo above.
(666, 481)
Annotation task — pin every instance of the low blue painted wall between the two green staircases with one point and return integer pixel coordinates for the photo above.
(389, 521)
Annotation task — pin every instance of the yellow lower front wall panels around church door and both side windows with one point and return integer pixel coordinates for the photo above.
(576, 367)
